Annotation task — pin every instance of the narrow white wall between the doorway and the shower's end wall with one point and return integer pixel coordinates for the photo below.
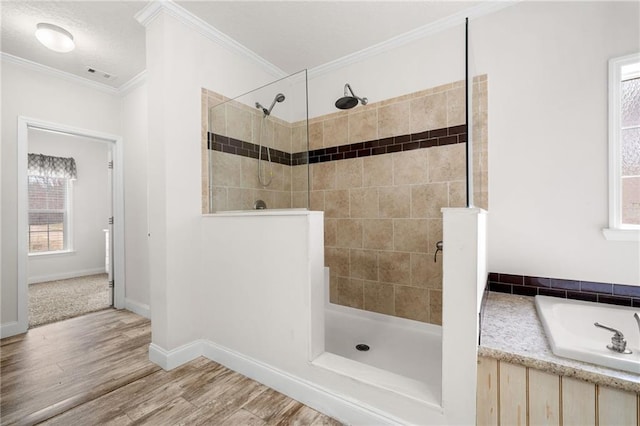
(134, 134)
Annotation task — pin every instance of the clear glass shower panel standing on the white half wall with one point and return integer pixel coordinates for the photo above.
(257, 148)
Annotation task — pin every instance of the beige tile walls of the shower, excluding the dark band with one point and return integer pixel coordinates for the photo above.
(382, 212)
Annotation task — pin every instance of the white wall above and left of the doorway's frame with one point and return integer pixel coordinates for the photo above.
(37, 95)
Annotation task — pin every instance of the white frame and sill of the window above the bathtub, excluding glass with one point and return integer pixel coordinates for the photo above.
(617, 231)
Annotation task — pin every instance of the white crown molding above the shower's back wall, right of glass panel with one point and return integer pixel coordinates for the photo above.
(457, 19)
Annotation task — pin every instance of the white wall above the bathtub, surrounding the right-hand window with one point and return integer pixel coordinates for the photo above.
(548, 199)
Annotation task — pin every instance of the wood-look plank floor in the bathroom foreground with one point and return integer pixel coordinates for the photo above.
(95, 370)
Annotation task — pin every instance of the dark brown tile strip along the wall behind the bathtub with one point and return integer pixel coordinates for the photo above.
(617, 294)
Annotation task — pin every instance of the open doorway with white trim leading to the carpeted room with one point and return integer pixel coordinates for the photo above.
(79, 256)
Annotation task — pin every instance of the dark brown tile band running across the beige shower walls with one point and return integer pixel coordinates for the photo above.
(427, 139)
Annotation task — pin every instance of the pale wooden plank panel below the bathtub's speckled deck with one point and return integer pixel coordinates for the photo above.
(510, 394)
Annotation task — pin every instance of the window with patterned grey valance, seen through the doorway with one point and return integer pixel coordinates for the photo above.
(50, 189)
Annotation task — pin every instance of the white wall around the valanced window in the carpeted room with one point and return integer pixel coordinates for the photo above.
(89, 211)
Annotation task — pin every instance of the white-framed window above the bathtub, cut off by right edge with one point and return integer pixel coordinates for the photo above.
(624, 149)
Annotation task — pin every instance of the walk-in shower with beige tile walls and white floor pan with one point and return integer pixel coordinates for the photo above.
(381, 171)
